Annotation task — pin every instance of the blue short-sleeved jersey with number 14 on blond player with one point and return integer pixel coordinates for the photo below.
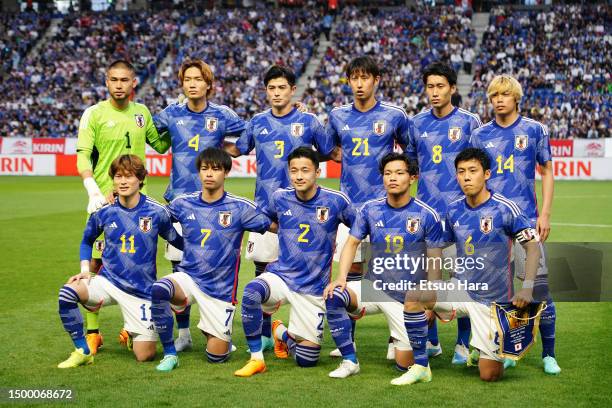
(514, 152)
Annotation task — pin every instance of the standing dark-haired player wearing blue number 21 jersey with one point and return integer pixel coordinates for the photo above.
(366, 130)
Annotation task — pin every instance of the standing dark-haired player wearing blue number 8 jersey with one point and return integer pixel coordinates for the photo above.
(443, 131)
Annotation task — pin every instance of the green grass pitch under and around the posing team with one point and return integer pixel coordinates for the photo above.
(41, 221)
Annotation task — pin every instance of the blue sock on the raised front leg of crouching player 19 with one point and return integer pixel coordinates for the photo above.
(340, 323)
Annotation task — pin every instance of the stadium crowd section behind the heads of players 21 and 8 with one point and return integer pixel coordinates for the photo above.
(404, 40)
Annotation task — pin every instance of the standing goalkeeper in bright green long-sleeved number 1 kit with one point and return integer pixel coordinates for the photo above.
(108, 129)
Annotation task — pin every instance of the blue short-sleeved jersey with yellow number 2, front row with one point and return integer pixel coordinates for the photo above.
(307, 235)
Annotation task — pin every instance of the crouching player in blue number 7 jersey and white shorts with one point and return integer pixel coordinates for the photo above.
(213, 222)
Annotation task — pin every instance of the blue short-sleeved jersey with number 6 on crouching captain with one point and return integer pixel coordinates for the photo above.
(485, 233)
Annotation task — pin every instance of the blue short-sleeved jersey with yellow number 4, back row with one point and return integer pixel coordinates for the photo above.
(190, 133)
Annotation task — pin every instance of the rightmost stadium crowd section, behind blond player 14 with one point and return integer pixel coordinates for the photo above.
(562, 57)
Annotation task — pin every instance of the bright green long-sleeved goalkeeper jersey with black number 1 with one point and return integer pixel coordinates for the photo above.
(106, 132)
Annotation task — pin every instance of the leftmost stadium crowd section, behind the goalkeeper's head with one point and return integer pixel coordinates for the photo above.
(45, 95)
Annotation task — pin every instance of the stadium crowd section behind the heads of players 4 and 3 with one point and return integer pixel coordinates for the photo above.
(239, 45)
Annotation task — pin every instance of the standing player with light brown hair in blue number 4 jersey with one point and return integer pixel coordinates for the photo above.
(192, 126)
